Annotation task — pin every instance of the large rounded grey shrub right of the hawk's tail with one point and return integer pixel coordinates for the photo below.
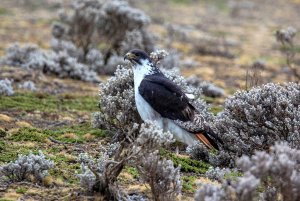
(255, 120)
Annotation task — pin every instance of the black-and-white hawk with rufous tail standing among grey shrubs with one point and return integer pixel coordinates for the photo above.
(160, 100)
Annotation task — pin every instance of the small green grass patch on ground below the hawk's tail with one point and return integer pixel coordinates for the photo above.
(186, 164)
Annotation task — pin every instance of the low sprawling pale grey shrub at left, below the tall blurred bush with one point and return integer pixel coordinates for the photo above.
(60, 64)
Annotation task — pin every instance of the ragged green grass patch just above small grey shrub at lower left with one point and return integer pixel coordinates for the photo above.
(9, 151)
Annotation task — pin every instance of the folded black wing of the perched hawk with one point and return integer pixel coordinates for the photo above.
(166, 98)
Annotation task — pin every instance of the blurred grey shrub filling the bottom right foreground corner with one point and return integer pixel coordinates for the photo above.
(267, 176)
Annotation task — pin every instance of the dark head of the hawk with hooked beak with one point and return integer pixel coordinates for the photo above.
(136, 56)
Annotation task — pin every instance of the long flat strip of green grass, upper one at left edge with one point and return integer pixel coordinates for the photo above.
(48, 103)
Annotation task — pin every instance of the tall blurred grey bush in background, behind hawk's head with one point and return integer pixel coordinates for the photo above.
(89, 24)
